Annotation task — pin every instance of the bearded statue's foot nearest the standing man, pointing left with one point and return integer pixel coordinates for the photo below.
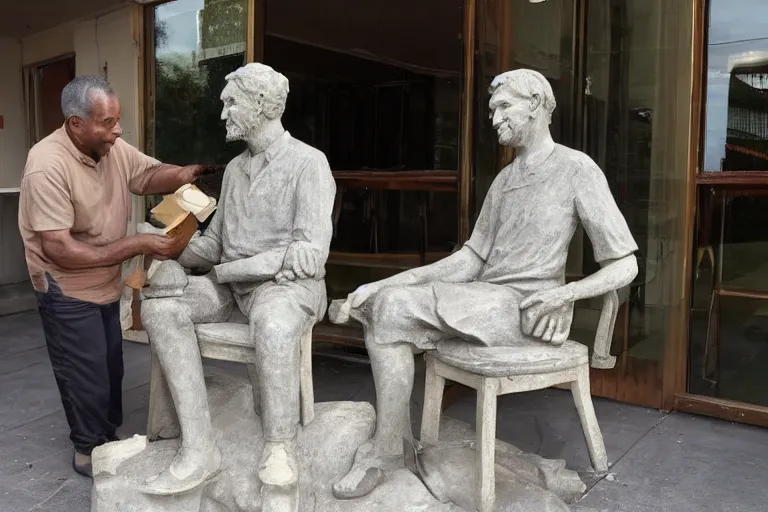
(189, 469)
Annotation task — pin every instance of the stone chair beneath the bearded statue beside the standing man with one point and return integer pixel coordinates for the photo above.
(225, 341)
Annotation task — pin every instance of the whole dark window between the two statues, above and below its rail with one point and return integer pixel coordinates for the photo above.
(376, 86)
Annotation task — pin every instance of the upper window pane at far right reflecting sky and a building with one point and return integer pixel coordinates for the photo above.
(736, 137)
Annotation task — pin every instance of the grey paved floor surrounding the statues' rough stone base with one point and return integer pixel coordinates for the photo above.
(676, 463)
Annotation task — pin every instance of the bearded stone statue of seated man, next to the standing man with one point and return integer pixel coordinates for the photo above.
(265, 252)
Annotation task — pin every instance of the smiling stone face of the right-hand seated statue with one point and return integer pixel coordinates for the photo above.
(511, 116)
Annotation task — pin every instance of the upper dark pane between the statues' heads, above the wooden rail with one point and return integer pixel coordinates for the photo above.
(373, 85)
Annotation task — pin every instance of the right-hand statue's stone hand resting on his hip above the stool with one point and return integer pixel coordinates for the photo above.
(543, 314)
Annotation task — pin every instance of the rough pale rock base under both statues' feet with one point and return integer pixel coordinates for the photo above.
(326, 449)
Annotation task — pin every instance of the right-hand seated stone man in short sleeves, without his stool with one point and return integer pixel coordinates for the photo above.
(506, 285)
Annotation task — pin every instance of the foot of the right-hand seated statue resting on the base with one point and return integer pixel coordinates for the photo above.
(368, 471)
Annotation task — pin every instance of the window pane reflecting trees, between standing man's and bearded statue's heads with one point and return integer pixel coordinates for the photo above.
(197, 43)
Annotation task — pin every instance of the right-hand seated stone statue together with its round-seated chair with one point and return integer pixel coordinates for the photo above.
(497, 313)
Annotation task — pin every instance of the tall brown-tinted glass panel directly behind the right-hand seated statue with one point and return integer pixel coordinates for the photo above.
(614, 68)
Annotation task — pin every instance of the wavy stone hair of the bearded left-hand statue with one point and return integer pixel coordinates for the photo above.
(259, 79)
